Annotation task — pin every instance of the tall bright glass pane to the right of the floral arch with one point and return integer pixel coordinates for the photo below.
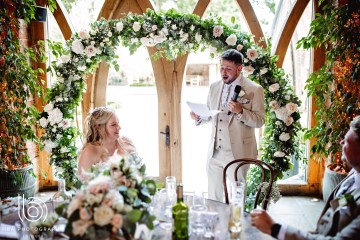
(297, 64)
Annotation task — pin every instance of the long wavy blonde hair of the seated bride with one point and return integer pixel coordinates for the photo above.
(95, 124)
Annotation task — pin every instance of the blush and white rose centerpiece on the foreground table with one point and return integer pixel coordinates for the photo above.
(111, 203)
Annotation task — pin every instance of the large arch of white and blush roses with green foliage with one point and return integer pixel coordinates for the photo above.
(172, 34)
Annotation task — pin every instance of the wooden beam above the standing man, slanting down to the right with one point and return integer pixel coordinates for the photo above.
(252, 21)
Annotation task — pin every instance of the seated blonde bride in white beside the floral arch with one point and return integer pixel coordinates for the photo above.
(103, 139)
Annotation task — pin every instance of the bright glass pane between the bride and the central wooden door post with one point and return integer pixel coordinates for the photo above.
(132, 93)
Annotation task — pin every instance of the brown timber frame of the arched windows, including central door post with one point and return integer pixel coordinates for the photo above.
(169, 77)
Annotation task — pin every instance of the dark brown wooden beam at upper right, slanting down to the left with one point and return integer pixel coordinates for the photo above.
(288, 30)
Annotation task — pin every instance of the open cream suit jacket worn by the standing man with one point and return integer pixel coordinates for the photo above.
(242, 132)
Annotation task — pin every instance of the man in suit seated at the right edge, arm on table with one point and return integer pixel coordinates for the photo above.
(340, 218)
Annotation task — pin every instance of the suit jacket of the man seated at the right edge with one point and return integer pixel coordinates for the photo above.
(335, 222)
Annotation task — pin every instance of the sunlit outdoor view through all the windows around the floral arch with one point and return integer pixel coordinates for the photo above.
(132, 91)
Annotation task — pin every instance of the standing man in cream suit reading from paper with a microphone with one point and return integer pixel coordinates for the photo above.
(233, 131)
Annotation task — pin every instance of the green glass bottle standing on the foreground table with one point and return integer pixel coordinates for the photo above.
(181, 216)
